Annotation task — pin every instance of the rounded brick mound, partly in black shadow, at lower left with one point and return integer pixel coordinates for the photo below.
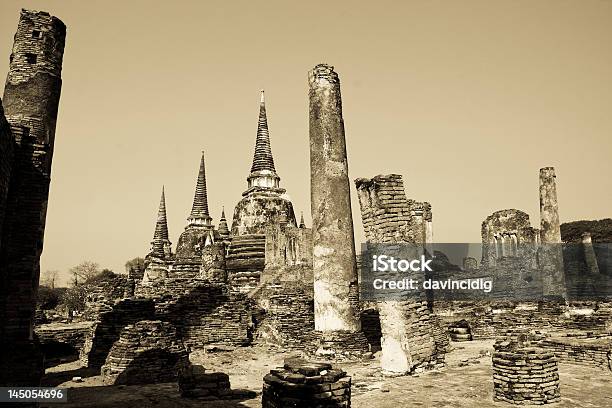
(147, 352)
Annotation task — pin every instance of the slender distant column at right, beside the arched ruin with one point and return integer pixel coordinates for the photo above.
(551, 253)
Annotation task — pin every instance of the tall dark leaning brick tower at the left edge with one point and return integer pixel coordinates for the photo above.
(31, 100)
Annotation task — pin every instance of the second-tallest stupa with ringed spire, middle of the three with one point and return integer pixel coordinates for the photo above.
(199, 231)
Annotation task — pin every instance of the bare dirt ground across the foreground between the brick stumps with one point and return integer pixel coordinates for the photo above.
(465, 382)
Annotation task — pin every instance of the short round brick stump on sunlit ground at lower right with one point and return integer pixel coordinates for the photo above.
(524, 374)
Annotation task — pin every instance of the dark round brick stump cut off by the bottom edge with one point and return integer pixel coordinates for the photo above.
(301, 384)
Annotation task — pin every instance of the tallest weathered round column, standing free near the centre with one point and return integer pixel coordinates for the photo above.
(334, 263)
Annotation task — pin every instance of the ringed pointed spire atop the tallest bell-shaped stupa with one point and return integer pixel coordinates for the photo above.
(263, 173)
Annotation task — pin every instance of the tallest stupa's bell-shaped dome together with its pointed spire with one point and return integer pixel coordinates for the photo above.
(264, 203)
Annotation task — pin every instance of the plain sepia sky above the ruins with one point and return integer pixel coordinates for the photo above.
(465, 99)
